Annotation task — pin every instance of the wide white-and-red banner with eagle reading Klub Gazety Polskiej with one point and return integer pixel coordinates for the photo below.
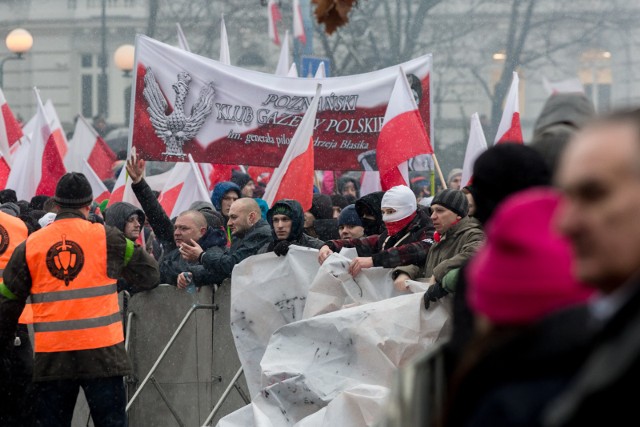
(188, 104)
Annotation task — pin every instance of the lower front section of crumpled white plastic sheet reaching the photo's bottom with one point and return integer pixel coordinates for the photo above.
(338, 366)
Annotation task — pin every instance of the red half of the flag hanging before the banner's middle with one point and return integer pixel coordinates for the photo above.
(297, 182)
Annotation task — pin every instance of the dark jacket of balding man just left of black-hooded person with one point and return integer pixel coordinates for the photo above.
(219, 262)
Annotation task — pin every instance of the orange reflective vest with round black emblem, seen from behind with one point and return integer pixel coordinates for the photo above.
(74, 302)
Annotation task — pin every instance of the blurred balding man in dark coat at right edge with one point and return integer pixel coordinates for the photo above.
(599, 176)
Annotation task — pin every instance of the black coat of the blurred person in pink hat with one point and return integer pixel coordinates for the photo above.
(517, 372)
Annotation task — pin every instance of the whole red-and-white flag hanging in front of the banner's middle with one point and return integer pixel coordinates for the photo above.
(293, 179)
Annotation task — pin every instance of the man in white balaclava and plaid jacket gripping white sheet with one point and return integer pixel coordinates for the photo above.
(408, 231)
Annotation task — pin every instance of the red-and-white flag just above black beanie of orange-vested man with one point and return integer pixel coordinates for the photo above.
(40, 166)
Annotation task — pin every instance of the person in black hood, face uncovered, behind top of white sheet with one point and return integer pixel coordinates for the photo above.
(287, 220)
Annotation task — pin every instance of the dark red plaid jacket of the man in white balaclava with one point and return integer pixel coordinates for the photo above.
(410, 245)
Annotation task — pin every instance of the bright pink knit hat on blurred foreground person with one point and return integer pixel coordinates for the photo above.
(523, 271)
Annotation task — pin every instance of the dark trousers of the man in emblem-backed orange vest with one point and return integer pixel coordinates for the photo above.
(56, 400)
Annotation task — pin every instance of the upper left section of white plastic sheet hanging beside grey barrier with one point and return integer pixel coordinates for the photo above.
(267, 292)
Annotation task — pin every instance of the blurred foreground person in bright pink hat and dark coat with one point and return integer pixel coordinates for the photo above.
(517, 282)
